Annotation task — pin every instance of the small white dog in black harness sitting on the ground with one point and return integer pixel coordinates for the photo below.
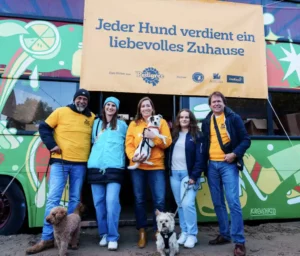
(166, 242)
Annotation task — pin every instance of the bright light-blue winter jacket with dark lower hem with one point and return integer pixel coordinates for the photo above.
(107, 158)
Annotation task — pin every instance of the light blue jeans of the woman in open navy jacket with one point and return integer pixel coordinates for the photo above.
(187, 208)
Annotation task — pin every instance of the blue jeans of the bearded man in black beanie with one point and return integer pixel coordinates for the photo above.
(58, 178)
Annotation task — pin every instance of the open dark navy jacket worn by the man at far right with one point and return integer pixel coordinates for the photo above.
(239, 138)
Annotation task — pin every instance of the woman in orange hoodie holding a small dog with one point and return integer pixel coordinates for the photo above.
(154, 174)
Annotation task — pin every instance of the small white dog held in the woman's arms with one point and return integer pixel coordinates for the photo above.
(146, 144)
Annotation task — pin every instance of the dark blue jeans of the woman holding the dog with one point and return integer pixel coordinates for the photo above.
(157, 181)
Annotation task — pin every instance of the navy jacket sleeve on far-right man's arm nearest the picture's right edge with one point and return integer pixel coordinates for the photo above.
(243, 137)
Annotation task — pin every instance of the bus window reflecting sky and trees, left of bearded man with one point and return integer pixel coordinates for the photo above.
(25, 107)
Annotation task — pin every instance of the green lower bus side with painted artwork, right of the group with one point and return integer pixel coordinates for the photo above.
(269, 184)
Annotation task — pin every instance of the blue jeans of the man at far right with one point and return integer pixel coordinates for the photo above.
(222, 175)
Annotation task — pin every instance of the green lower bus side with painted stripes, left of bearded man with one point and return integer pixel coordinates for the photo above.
(29, 154)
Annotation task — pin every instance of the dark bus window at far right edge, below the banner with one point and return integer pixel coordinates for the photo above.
(287, 107)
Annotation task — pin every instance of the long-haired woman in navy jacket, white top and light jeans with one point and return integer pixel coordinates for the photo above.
(187, 161)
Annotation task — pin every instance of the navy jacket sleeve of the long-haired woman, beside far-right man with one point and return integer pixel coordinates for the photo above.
(200, 158)
